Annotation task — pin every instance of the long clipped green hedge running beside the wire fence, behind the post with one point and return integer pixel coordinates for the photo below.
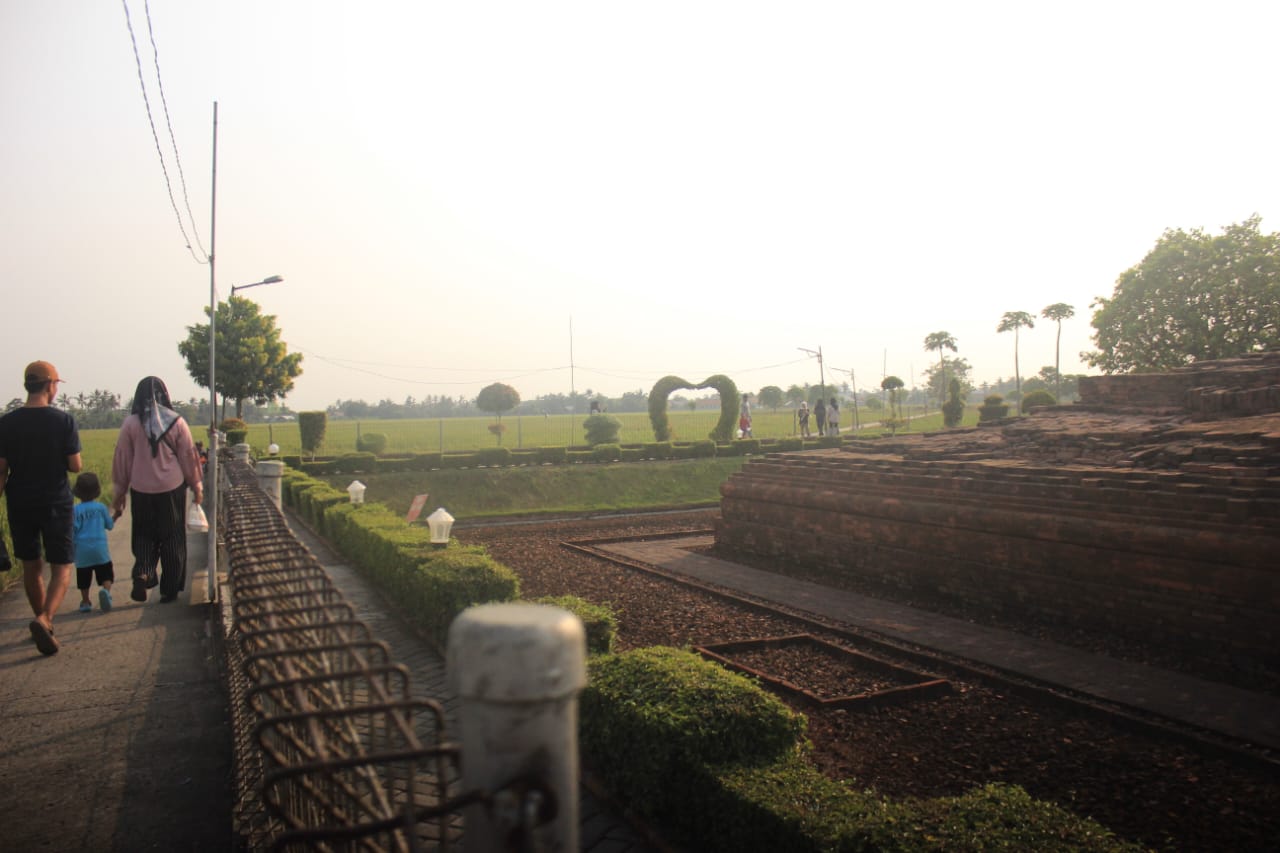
(431, 585)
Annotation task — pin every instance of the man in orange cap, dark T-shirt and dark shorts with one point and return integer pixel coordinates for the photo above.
(39, 445)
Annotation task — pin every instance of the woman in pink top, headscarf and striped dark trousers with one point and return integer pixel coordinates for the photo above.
(156, 463)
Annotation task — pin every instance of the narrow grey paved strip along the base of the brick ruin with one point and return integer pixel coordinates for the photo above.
(1251, 718)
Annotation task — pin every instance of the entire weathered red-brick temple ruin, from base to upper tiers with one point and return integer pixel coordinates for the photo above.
(1150, 509)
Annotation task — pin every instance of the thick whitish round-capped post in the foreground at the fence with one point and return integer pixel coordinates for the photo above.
(518, 670)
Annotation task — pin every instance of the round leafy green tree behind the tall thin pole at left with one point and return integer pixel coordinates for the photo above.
(253, 362)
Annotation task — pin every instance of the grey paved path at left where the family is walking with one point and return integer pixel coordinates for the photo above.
(121, 741)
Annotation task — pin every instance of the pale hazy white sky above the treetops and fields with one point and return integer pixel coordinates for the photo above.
(692, 188)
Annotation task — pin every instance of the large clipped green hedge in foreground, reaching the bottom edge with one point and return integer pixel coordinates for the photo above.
(721, 765)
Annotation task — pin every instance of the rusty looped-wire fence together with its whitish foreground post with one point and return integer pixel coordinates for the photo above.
(335, 752)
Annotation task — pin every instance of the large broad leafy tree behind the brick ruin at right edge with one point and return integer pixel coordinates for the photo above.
(1194, 298)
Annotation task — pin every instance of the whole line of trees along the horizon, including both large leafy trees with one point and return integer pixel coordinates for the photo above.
(1195, 297)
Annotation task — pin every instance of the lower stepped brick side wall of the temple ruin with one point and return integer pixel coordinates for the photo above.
(1185, 558)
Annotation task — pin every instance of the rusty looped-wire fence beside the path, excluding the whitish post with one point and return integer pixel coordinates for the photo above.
(332, 750)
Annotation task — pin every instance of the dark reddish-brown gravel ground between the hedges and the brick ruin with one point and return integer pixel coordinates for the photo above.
(1164, 795)
